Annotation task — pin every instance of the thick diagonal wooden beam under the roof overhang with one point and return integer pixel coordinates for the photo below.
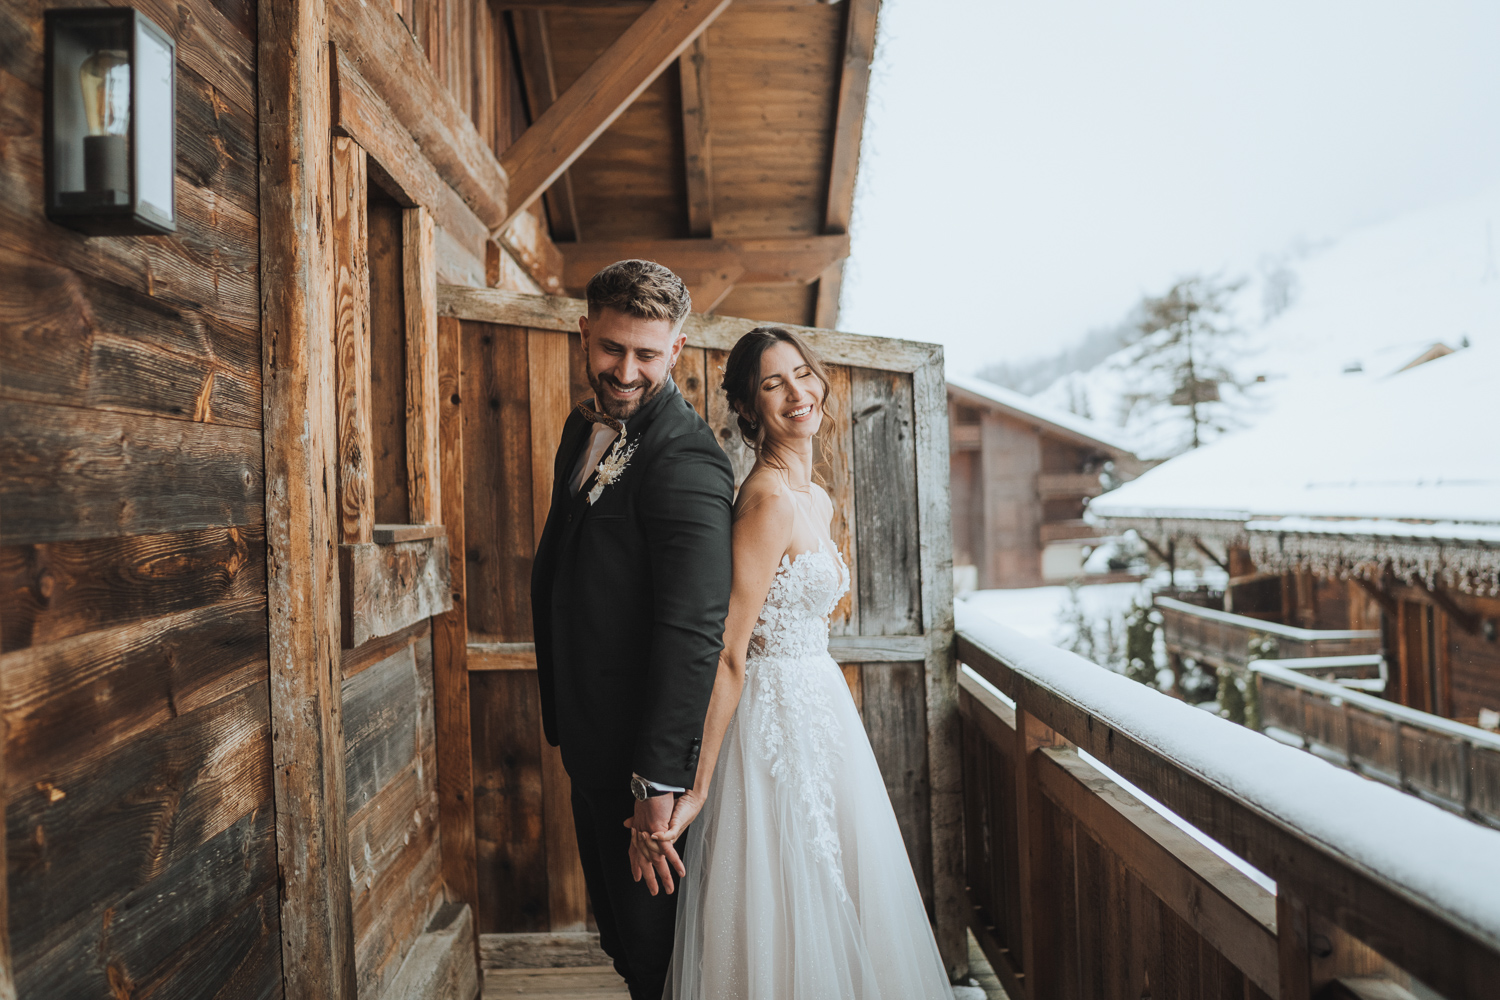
(601, 95)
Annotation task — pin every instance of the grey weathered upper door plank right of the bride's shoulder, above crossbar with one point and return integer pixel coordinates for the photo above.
(887, 518)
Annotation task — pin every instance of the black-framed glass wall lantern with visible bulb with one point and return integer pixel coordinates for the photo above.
(112, 122)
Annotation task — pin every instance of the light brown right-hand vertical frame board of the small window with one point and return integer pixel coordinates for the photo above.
(421, 284)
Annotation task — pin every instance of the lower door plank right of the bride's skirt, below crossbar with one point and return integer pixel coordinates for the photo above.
(896, 720)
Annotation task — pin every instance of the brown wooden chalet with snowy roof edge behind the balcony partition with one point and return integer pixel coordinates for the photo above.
(1022, 475)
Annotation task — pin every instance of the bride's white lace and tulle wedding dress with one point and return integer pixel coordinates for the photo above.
(799, 885)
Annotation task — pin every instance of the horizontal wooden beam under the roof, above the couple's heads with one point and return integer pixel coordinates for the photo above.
(707, 265)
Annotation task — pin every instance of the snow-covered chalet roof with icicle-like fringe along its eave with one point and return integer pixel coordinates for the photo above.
(1397, 475)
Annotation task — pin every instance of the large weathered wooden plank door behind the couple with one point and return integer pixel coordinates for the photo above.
(886, 463)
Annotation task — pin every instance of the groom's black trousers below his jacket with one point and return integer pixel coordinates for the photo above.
(635, 927)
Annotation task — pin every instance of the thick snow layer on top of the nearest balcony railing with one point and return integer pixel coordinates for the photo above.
(1444, 863)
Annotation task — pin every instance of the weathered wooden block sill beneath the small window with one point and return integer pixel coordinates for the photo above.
(388, 588)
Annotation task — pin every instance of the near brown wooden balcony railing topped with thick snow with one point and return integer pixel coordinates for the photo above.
(1085, 887)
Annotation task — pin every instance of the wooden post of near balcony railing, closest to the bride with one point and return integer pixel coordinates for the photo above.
(1037, 882)
